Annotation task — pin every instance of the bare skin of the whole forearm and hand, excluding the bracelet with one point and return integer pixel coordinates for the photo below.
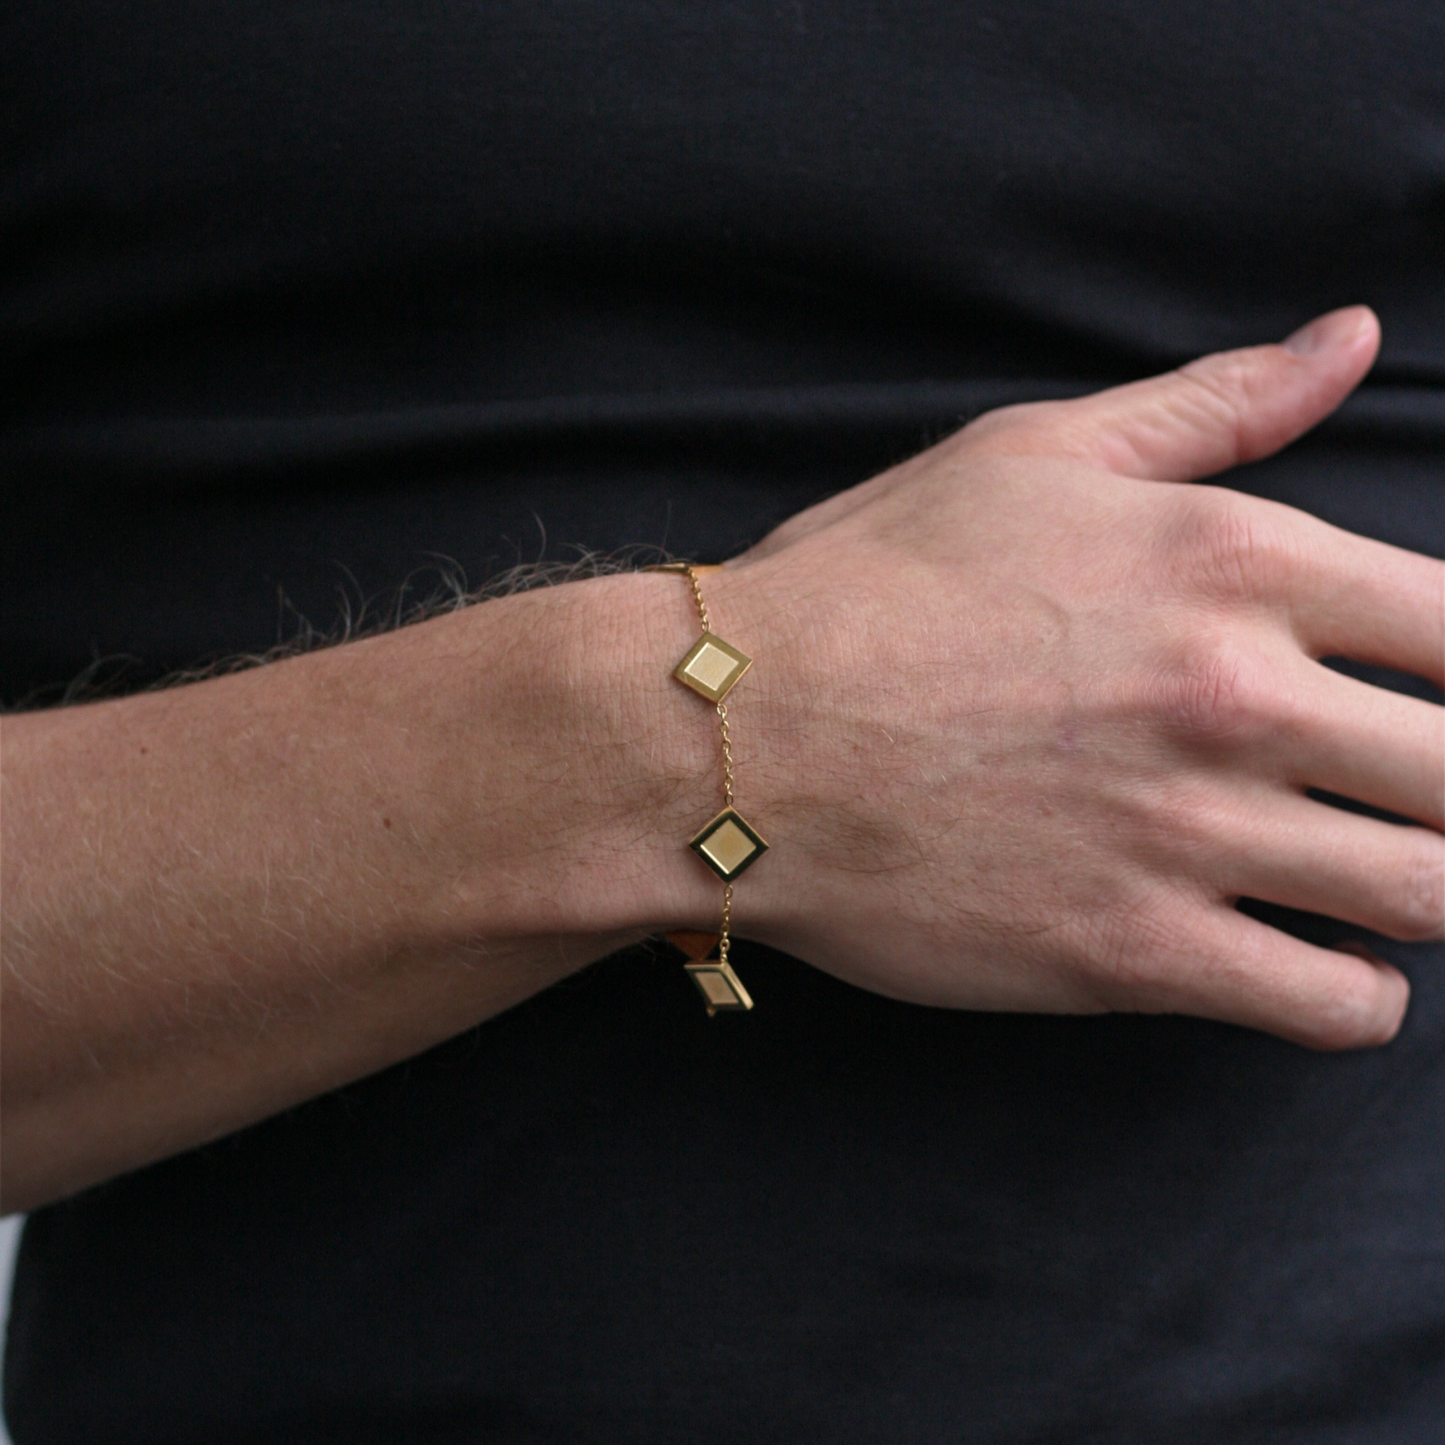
(1028, 716)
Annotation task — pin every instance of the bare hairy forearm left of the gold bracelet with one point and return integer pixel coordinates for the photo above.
(228, 898)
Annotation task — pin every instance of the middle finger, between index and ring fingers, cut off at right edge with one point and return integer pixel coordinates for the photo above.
(1378, 748)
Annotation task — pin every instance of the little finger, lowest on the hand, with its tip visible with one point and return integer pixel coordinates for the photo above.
(1243, 972)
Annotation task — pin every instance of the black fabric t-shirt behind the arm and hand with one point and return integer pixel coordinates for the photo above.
(303, 298)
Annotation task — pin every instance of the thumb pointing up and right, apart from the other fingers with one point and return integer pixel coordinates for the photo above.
(1215, 414)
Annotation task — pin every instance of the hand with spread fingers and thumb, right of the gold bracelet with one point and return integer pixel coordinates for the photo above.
(1031, 715)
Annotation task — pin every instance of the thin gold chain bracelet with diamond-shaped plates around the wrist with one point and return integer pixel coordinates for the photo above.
(728, 845)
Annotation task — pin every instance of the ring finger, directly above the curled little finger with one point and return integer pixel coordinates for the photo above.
(1304, 855)
